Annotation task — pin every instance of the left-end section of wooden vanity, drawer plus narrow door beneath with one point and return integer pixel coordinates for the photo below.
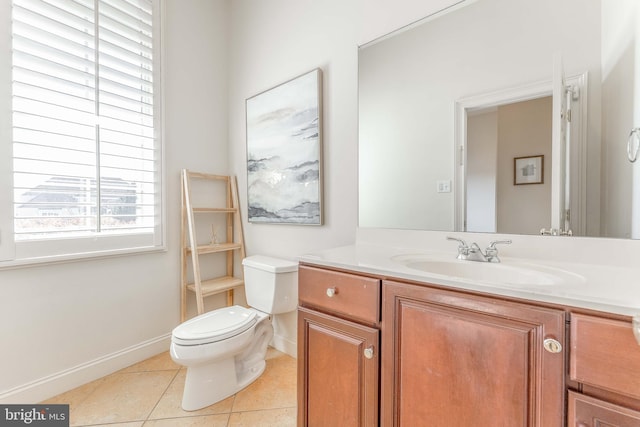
(338, 348)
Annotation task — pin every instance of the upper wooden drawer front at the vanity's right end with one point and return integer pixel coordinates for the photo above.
(604, 353)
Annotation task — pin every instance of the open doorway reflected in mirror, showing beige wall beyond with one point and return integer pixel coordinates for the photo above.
(498, 138)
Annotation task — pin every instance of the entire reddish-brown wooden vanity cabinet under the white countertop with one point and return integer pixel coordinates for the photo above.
(378, 351)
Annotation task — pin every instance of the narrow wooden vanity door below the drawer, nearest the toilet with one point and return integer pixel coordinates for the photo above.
(338, 371)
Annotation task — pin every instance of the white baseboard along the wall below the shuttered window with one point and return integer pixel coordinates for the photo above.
(52, 385)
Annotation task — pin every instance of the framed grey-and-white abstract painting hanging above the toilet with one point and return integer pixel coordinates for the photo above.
(284, 152)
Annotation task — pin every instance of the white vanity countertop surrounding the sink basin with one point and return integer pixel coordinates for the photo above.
(612, 289)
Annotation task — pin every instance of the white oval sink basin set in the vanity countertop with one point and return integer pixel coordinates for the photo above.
(514, 274)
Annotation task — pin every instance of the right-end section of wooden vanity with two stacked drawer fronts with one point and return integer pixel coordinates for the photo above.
(604, 373)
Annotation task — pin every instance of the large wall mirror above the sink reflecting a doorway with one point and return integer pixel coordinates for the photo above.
(505, 116)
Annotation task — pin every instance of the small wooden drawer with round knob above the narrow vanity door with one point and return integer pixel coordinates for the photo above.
(344, 294)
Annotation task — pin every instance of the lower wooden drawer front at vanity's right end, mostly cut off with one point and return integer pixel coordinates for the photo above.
(585, 411)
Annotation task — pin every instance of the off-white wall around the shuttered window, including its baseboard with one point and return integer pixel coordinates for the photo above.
(66, 324)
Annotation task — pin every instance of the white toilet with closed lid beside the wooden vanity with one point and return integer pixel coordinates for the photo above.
(224, 350)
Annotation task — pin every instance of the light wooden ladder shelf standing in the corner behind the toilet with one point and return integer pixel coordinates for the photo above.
(193, 248)
